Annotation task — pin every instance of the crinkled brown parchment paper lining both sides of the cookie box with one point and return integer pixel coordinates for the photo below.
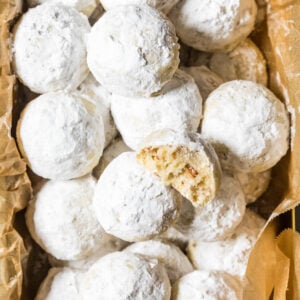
(274, 267)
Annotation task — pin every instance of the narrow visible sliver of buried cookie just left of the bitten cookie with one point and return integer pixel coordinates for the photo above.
(116, 148)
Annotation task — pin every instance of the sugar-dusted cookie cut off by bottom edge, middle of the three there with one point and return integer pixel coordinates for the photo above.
(123, 276)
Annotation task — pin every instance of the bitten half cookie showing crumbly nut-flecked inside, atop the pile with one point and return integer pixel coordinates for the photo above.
(185, 161)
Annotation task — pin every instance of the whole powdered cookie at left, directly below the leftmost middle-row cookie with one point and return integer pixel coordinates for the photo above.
(62, 221)
